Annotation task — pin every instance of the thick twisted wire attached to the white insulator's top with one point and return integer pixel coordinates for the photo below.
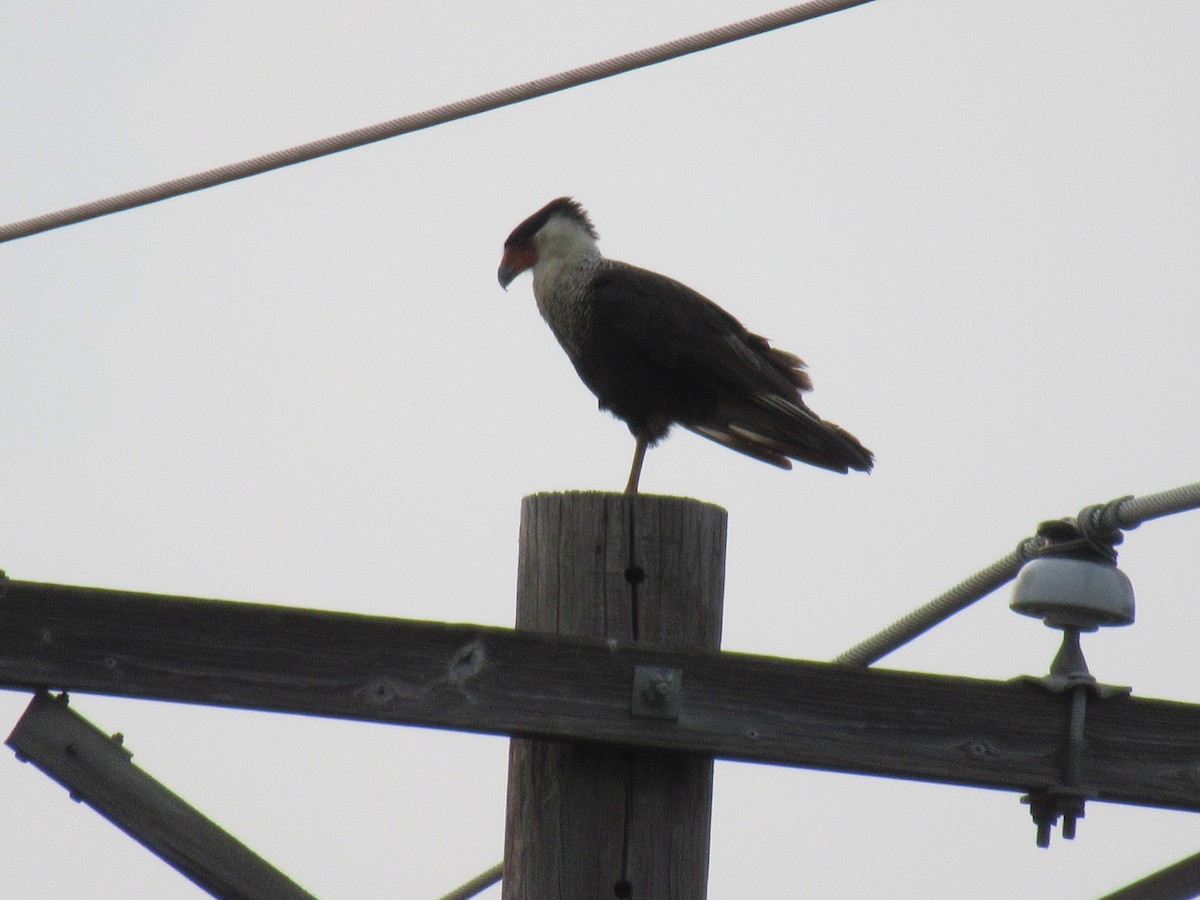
(1124, 514)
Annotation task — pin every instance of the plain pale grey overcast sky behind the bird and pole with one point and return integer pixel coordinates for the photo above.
(977, 223)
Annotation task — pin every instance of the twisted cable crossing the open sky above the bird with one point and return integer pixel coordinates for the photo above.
(437, 116)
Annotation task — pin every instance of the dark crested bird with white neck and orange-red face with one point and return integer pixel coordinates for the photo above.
(657, 353)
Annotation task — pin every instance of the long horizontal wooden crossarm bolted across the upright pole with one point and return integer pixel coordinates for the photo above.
(964, 731)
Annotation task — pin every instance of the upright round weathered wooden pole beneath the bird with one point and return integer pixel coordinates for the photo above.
(593, 821)
